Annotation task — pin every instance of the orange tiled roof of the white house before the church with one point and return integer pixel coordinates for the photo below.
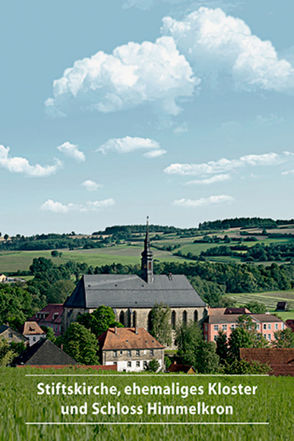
(127, 338)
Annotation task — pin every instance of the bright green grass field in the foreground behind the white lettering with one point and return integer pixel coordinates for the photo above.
(273, 403)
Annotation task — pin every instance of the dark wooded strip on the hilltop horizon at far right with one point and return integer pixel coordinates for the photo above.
(244, 222)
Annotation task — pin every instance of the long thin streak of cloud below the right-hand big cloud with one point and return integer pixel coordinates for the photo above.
(224, 165)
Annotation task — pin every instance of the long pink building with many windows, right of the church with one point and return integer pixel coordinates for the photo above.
(266, 324)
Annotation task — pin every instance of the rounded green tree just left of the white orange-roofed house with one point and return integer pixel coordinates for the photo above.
(81, 344)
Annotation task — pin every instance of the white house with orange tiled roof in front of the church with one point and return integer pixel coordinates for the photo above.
(130, 349)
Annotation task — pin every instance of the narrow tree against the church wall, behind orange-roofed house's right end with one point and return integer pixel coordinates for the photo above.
(160, 324)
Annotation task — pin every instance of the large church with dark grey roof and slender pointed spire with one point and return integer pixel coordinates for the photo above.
(132, 297)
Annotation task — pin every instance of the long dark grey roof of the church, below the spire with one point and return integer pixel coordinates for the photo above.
(131, 291)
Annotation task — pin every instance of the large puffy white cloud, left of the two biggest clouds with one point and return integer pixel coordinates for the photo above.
(132, 75)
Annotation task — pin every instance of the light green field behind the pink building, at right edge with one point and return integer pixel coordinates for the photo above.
(269, 298)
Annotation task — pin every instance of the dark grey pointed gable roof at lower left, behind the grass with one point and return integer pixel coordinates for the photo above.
(44, 352)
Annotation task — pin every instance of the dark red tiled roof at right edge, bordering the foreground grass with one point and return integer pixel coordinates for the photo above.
(280, 360)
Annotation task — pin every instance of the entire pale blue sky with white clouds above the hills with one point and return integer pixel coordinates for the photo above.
(177, 109)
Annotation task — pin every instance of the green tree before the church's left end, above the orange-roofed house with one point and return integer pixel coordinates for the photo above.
(99, 320)
